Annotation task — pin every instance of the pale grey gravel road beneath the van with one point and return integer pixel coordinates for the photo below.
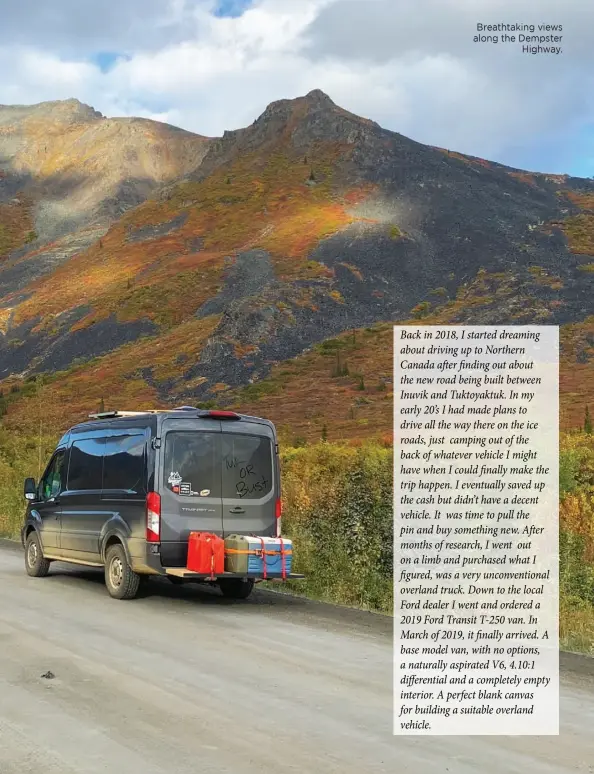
(182, 681)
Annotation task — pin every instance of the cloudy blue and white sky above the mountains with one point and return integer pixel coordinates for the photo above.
(411, 65)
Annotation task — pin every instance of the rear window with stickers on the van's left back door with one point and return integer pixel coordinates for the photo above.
(193, 458)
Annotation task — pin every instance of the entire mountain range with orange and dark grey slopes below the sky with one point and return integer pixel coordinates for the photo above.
(236, 268)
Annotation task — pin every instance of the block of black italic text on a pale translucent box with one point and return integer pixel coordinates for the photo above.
(476, 530)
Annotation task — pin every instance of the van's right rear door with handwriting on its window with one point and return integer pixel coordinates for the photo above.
(250, 478)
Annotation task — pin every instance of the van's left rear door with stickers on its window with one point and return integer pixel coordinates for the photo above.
(189, 484)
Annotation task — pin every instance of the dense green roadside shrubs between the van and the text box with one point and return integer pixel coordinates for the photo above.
(338, 510)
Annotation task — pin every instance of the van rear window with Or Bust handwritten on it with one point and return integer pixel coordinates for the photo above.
(247, 466)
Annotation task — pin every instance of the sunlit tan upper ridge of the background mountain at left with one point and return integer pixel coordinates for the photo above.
(78, 168)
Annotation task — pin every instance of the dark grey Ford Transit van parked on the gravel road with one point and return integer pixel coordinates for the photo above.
(125, 490)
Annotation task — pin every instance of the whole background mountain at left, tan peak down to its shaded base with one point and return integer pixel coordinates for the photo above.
(67, 173)
